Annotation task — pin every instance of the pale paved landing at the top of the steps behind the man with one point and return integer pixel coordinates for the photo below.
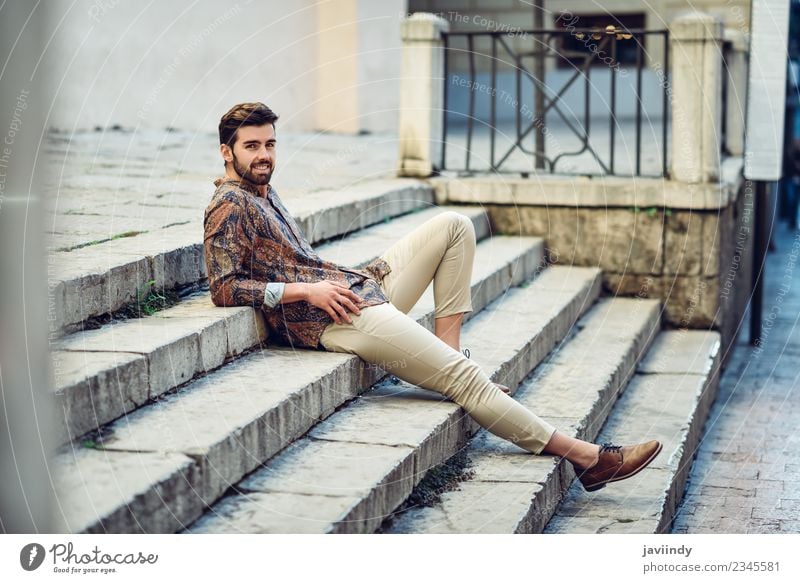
(103, 185)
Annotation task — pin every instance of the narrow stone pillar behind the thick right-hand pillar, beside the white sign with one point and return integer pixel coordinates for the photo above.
(736, 64)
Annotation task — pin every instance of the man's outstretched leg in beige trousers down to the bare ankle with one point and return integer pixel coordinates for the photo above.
(385, 336)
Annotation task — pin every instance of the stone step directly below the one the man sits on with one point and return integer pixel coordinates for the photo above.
(161, 465)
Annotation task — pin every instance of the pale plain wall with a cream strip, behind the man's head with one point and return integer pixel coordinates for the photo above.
(332, 66)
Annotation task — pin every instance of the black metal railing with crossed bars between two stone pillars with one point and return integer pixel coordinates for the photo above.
(552, 58)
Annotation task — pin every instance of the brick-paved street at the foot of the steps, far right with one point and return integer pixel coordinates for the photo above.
(747, 475)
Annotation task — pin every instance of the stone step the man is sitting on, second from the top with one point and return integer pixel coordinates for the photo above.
(100, 375)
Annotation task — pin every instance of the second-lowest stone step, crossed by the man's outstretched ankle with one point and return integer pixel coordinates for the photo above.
(510, 491)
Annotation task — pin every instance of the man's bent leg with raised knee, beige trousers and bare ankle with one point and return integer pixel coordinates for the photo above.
(441, 250)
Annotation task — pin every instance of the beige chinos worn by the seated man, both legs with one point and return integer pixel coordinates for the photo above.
(443, 250)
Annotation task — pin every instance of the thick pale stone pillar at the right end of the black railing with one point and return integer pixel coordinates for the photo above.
(696, 79)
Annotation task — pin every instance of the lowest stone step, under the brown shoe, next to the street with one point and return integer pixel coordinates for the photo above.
(669, 399)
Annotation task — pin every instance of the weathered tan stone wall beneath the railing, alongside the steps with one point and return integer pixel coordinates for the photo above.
(696, 261)
